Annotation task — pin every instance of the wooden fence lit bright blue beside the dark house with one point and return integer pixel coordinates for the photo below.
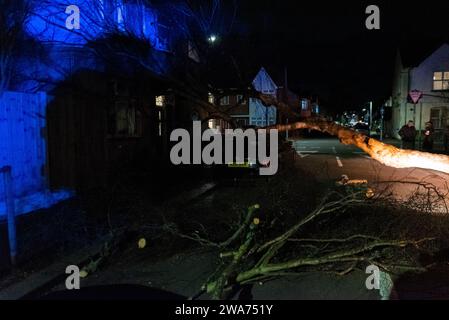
(23, 148)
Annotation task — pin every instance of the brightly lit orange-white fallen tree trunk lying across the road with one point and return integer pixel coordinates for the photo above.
(384, 153)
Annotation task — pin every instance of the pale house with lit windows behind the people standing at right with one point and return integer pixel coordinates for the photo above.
(429, 75)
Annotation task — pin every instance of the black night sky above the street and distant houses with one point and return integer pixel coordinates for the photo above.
(327, 49)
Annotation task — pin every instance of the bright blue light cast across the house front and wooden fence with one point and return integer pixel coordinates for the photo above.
(23, 115)
